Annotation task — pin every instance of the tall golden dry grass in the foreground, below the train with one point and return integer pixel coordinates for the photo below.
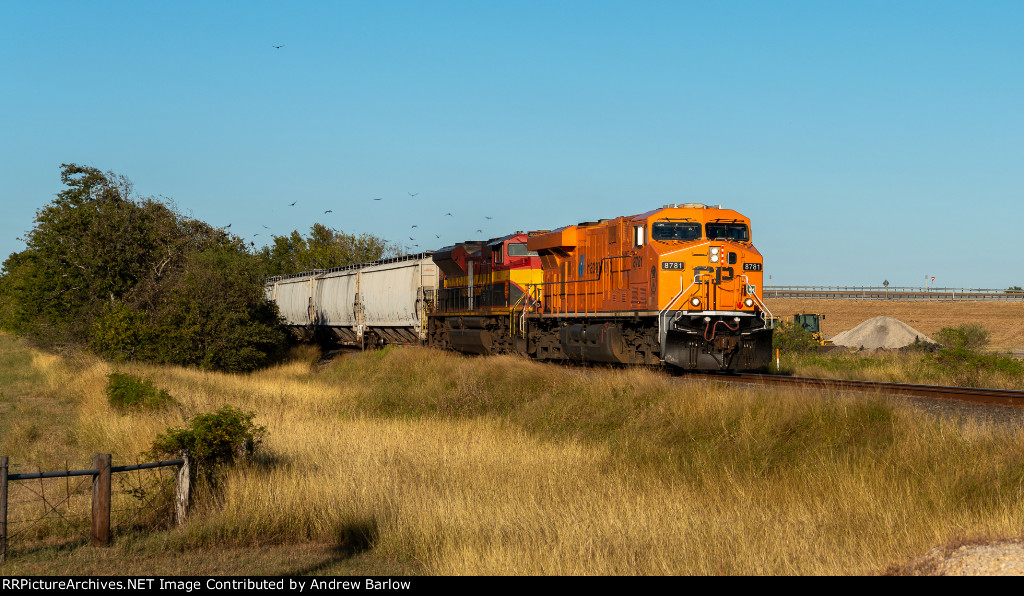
(418, 461)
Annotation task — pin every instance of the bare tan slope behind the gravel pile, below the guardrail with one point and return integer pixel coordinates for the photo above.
(1004, 321)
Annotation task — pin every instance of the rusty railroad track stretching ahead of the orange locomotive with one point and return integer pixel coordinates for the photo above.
(1009, 398)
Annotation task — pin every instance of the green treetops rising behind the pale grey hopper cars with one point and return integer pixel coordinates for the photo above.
(323, 249)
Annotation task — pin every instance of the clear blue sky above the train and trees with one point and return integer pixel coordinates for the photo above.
(867, 141)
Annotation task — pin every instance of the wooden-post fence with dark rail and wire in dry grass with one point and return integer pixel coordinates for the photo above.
(44, 508)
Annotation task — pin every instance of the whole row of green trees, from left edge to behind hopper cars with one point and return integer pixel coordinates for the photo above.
(134, 280)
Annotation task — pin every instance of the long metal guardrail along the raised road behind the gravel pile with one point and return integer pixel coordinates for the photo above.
(882, 293)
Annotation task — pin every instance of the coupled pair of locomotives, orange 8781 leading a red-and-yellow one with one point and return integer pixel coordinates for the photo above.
(679, 285)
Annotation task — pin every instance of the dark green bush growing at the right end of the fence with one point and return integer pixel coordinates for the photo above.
(212, 440)
